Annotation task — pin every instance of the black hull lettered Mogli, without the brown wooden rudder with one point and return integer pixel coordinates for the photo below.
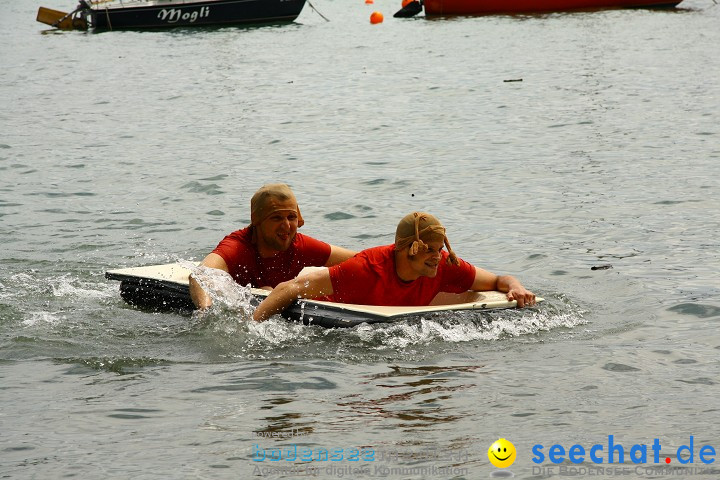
(207, 13)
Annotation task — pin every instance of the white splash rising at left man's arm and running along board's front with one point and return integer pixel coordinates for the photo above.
(234, 304)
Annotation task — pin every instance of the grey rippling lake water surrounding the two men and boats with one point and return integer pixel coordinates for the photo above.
(123, 149)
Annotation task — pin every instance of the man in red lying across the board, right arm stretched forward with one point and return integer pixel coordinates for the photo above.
(410, 272)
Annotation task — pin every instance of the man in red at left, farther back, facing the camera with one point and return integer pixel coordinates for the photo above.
(270, 250)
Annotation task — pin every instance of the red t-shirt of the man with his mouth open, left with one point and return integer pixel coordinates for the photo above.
(247, 267)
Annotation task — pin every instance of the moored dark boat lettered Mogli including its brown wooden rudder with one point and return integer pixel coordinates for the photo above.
(151, 14)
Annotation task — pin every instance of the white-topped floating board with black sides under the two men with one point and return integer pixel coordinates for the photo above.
(166, 287)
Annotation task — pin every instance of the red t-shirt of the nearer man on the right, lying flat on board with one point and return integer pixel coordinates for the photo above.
(369, 278)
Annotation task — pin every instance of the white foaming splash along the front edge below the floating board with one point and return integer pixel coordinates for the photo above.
(277, 338)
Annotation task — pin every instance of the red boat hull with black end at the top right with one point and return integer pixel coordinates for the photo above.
(510, 7)
